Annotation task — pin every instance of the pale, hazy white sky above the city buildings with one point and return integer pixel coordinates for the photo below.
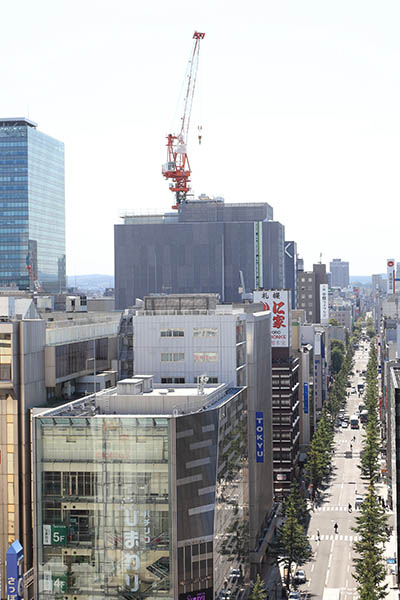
(299, 103)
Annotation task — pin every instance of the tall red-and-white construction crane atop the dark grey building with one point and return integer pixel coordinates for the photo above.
(177, 167)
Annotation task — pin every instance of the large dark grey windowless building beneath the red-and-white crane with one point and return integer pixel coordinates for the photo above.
(200, 249)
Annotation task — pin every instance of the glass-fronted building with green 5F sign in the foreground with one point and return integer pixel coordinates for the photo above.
(155, 506)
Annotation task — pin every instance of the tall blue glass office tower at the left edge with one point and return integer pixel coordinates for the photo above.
(32, 208)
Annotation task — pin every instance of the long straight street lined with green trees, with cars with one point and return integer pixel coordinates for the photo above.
(331, 566)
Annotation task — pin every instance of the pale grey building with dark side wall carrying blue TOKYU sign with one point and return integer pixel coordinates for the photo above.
(181, 338)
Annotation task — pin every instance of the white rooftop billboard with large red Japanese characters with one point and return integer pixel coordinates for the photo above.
(278, 302)
